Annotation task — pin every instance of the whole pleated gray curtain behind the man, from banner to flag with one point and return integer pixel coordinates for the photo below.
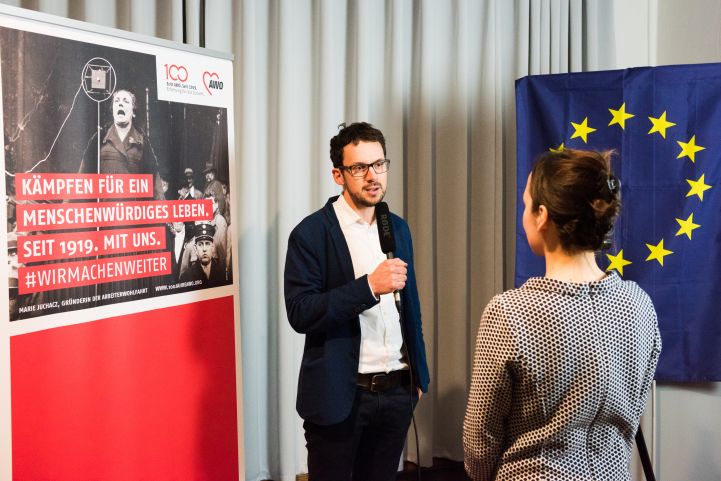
(438, 78)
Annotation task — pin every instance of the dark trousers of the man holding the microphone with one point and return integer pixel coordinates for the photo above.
(367, 446)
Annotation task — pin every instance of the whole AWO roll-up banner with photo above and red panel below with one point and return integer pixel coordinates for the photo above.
(120, 343)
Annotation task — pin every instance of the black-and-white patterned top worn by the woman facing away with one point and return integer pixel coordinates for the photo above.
(560, 379)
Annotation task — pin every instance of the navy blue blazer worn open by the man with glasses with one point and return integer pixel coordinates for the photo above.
(323, 300)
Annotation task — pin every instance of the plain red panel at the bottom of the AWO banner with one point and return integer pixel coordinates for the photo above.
(138, 397)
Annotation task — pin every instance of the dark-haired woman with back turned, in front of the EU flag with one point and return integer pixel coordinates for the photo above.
(563, 364)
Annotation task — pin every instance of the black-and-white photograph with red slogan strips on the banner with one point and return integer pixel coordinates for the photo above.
(78, 114)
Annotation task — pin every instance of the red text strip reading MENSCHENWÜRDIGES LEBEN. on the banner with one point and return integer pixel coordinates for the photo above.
(45, 217)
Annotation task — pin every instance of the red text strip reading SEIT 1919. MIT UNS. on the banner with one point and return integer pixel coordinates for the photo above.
(35, 248)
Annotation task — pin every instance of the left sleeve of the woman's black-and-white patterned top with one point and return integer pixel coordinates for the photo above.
(489, 399)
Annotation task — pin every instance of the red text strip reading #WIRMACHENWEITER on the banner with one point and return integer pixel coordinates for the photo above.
(96, 271)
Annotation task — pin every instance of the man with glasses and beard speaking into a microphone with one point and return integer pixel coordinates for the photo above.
(364, 365)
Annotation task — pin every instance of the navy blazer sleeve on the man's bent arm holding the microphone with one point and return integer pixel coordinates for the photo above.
(312, 307)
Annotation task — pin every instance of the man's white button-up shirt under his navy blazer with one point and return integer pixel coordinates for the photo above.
(381, 338)
